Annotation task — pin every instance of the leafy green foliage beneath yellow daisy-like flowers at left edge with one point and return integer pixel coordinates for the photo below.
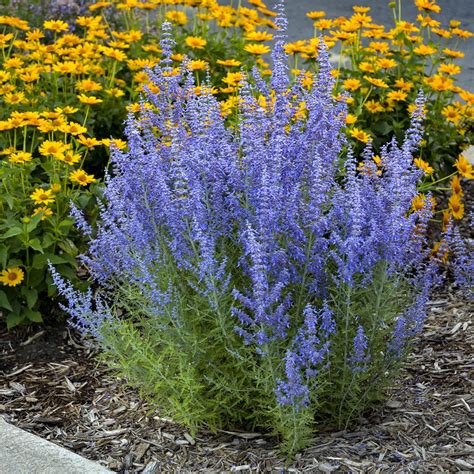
(30, 236)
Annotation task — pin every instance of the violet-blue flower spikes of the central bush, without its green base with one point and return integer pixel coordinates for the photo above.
(265, 211)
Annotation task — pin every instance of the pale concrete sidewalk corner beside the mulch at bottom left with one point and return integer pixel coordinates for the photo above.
(25, 453)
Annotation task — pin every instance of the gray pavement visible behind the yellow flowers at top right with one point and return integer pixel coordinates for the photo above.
(299, 26)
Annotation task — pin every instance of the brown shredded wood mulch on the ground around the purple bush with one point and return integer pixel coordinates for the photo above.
(51, 385)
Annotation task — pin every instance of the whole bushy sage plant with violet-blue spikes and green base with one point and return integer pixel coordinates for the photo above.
(256, 275)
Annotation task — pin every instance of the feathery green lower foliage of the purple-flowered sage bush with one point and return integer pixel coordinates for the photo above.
(195, 368)
